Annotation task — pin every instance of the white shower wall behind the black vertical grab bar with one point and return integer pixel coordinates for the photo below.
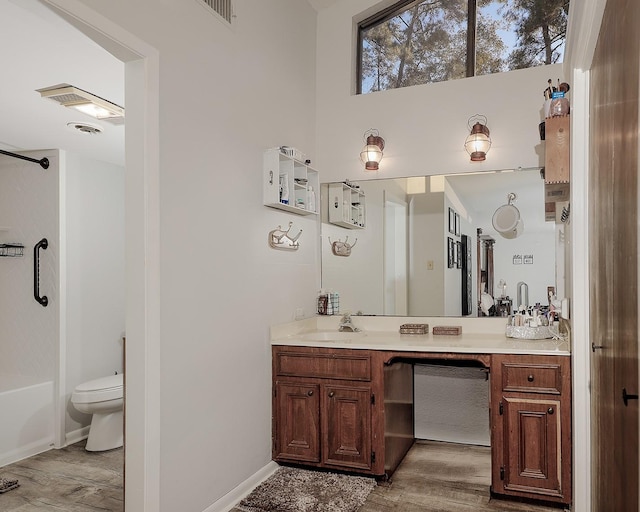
(29, 332)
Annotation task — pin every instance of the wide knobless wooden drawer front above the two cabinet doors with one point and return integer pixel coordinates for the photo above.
(329, 364)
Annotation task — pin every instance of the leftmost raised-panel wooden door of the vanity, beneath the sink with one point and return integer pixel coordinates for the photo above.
(297, 422)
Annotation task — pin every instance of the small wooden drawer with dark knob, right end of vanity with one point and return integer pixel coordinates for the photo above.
(532, 378)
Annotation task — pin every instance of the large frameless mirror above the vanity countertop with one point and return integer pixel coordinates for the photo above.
(429, 247)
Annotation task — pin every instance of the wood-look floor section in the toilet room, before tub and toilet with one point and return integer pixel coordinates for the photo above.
(70, 480)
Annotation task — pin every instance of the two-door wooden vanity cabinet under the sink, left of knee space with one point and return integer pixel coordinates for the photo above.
(322, 408)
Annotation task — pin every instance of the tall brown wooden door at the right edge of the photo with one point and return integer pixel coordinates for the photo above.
(613, 205)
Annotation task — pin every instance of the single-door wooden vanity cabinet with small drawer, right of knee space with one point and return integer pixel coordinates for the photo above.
(531, 426)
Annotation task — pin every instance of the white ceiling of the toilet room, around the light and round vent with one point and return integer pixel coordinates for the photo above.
(40, 50)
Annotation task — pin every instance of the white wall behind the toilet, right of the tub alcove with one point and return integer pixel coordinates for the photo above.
(93, 226)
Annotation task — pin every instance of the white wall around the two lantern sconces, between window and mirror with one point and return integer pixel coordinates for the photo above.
(424, 126)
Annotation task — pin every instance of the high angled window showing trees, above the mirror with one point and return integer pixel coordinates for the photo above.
(422, 41)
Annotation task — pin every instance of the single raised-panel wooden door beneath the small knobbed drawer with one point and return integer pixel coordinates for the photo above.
(531, 446)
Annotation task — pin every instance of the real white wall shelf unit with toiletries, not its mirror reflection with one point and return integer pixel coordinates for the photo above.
(290, 184)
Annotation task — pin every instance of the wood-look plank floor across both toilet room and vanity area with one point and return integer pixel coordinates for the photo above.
(433, 477)
